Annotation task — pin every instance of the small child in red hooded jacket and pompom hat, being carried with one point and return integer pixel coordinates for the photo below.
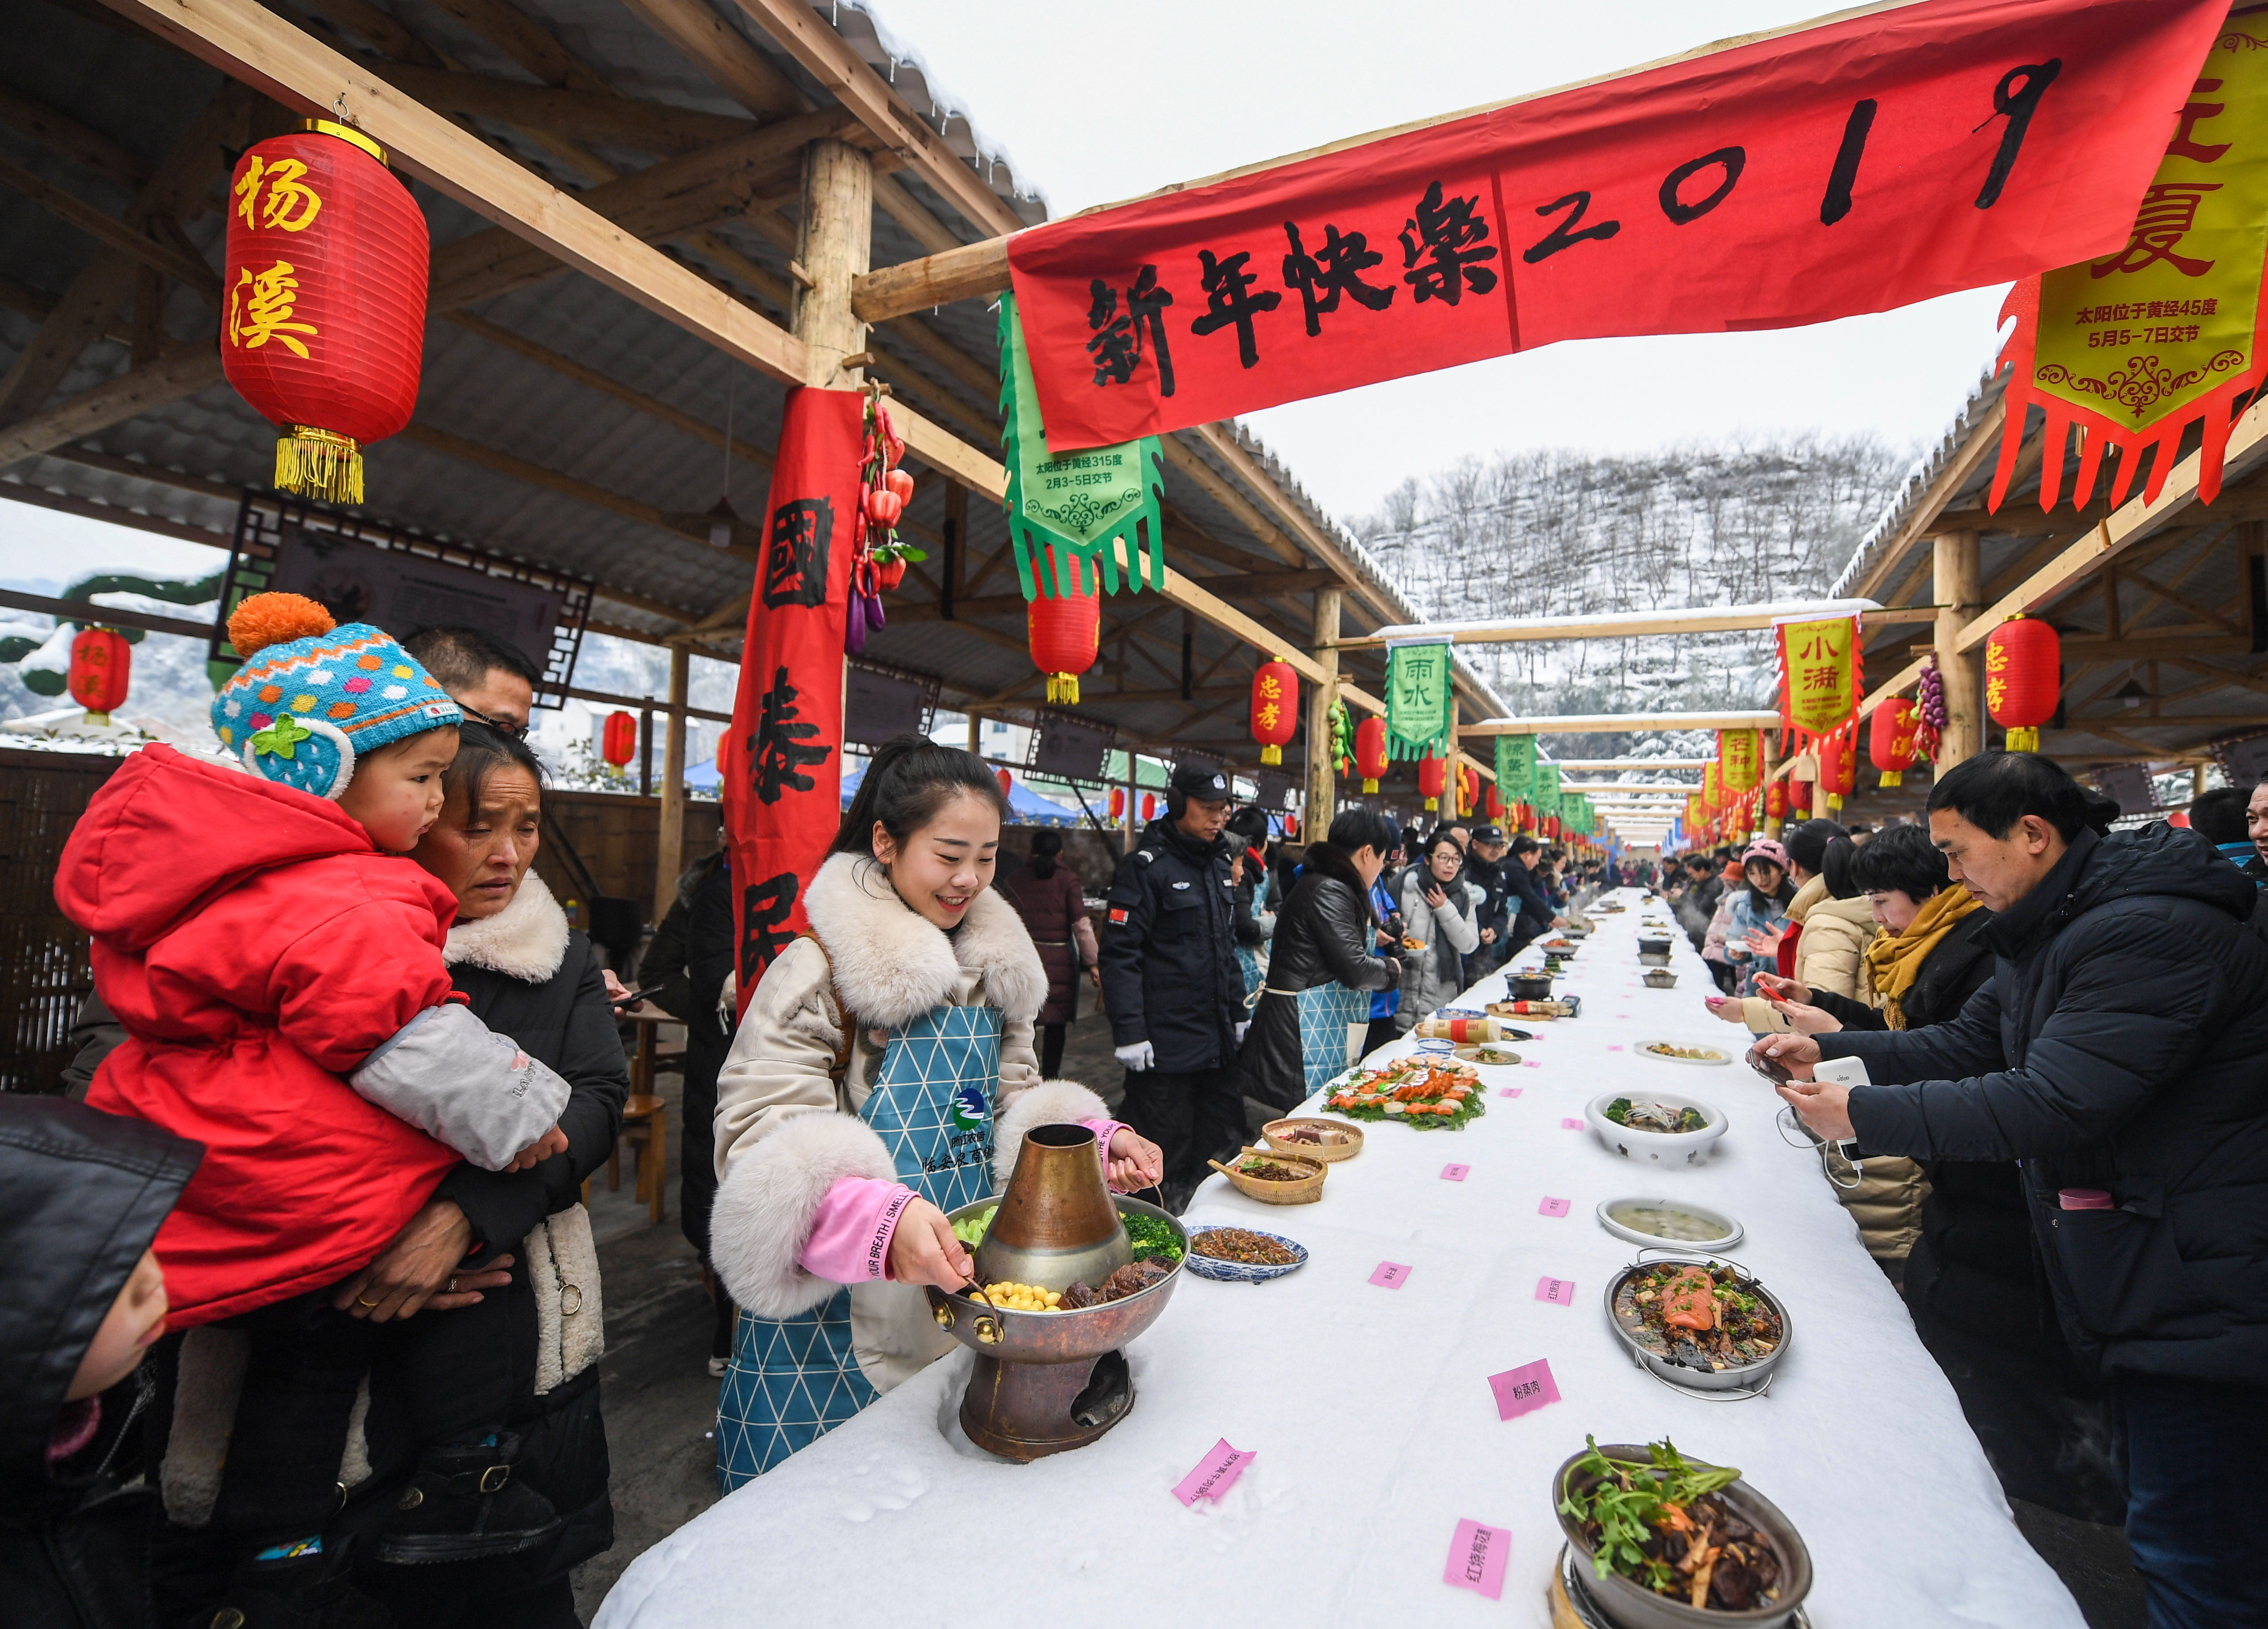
(280, 974)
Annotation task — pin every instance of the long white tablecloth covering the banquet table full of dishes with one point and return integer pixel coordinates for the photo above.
(1371, 1412)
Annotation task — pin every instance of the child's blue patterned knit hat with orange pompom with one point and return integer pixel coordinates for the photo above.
(314, 695)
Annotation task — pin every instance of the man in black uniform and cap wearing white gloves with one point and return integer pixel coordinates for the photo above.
(1171, 981)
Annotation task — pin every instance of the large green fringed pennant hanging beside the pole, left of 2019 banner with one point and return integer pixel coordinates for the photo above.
(1081, 505)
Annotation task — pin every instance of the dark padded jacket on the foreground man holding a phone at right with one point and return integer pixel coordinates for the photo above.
(2117, 1047)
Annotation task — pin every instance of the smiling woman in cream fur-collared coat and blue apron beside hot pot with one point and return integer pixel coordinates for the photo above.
(881, 1077)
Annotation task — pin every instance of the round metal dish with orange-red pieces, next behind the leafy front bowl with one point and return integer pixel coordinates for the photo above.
(1698, 1322)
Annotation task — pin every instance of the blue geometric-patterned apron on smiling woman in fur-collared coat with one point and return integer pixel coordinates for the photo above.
(797, 1378)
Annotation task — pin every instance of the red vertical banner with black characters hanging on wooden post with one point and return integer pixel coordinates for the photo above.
(781, 761)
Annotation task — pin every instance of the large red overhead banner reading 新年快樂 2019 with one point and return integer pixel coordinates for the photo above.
(1850, 167)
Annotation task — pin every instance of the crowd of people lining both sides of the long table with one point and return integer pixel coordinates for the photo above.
(305, 1308)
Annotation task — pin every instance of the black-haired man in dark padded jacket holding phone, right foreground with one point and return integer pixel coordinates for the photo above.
(2117, 1056)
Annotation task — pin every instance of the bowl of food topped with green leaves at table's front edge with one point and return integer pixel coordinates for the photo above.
(1634, 1514)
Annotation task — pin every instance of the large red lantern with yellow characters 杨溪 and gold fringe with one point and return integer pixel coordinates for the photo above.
(325, 285)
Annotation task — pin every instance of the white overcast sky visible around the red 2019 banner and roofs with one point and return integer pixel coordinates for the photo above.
(1097, 103)
